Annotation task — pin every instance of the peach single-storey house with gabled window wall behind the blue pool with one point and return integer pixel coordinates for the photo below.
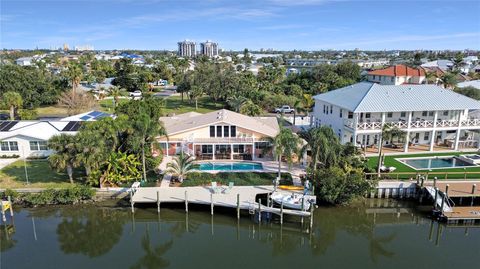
(218, 135)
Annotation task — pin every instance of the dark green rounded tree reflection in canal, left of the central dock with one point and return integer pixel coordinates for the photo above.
(90, 232)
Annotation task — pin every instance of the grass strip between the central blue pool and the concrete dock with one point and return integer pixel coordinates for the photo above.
(238, 179)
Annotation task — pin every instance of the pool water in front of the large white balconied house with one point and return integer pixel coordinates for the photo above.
(435, 162)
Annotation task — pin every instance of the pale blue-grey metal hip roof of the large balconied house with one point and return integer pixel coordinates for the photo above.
(372, 97)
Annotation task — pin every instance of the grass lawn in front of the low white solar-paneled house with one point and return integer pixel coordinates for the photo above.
(40, 175)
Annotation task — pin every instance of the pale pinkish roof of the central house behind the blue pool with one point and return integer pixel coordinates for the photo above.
(190, 121)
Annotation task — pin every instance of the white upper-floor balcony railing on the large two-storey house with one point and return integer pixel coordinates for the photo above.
(418, 124)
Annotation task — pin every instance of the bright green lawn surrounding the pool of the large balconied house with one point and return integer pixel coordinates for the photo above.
(440, 173)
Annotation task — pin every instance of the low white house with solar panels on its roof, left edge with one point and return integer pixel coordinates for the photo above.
(28, 138)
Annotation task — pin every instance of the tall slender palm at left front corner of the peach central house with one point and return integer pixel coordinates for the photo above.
(146, 130)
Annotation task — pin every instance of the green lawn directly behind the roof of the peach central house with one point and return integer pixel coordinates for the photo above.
(175, 105)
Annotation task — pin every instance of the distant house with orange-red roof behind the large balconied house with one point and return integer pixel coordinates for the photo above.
(397, 75)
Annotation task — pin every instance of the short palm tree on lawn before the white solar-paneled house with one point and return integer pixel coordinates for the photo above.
(65, 156)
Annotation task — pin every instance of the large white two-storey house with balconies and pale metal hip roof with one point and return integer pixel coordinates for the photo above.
(430, 115)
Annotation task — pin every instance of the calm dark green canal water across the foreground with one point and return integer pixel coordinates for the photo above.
(345, 237)
